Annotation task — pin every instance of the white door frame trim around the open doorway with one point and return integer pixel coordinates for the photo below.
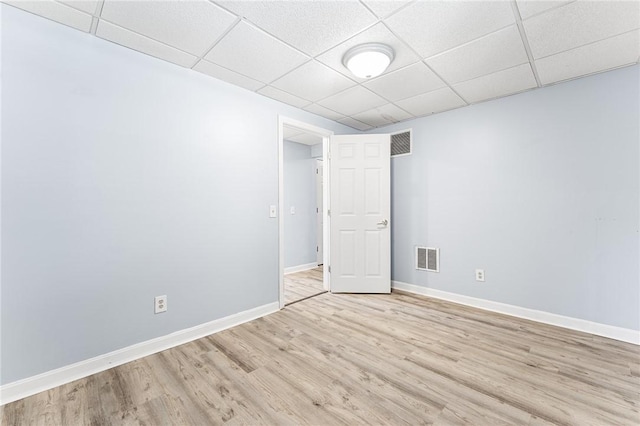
(325, 135)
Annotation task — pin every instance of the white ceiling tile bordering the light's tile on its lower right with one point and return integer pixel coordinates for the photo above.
(405, 83)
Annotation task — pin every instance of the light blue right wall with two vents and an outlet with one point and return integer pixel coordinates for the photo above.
(539, 189)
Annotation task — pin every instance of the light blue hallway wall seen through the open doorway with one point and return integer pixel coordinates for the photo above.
(300, 192)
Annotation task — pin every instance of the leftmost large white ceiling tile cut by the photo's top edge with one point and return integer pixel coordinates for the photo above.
(189, 25)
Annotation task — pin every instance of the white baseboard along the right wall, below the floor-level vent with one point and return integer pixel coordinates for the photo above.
(612, 332)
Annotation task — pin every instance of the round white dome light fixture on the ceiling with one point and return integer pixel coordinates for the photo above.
(368, 60)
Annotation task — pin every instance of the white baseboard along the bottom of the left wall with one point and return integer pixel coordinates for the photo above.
(50, 379)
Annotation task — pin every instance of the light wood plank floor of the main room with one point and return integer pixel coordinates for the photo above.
(362, 359)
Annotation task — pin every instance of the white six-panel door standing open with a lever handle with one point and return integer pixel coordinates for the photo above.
(360, 209)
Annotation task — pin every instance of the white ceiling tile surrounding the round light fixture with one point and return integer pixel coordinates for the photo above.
(379, 34)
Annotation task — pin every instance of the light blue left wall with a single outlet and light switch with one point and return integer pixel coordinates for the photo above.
(125, 177)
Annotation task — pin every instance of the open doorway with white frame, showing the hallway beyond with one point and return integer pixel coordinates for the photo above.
(302, 209)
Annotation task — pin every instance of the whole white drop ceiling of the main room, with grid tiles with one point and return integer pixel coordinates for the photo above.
(448, 54)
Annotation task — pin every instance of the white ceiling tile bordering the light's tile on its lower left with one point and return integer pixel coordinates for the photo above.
(313, 81)
